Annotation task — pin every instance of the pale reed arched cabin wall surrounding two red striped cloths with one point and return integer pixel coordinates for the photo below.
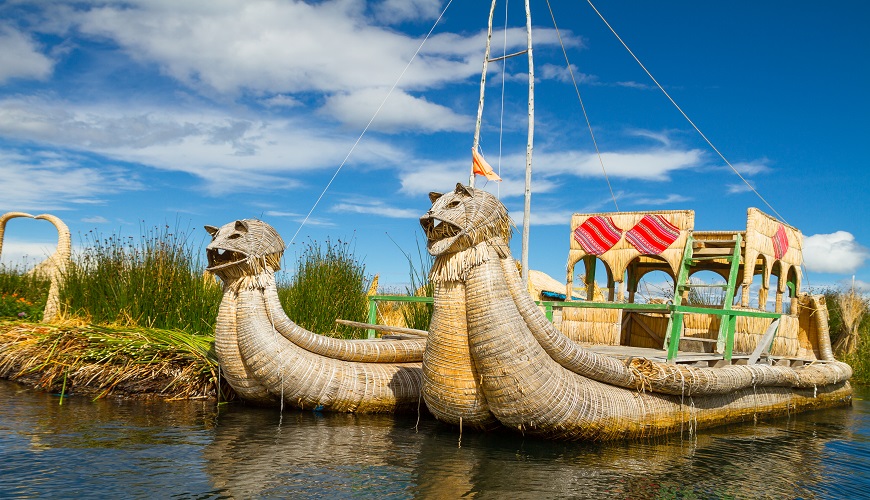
(623, 252)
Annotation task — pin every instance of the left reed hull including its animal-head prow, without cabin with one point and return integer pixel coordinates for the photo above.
(267, 358)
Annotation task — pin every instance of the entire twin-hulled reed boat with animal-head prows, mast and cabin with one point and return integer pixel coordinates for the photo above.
(594, 368)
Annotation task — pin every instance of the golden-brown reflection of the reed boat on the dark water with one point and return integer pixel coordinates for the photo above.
(384, 456)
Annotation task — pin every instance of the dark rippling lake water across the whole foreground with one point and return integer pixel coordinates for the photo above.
(115, 448)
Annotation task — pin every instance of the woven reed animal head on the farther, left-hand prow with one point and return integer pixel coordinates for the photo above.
(243, 247)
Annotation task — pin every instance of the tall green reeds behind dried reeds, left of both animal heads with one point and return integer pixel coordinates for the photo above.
(156, 281)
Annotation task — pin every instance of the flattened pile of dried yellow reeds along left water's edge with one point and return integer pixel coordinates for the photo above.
(103, 361)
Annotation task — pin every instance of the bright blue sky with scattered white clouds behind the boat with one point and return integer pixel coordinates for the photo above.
(202, 112)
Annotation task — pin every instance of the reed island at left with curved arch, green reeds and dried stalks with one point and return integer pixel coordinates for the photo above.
(51, 344)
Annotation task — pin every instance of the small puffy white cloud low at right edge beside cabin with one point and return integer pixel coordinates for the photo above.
(836, 253)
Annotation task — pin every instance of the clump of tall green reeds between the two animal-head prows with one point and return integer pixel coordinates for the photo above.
(328, 282)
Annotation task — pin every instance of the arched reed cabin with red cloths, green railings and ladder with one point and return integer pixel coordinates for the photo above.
(630, 245)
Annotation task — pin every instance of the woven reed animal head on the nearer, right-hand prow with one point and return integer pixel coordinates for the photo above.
(464, 218)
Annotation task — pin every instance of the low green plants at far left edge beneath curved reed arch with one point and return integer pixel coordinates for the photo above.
(22, 294)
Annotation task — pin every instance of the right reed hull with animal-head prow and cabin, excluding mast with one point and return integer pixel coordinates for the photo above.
(493, 358)
